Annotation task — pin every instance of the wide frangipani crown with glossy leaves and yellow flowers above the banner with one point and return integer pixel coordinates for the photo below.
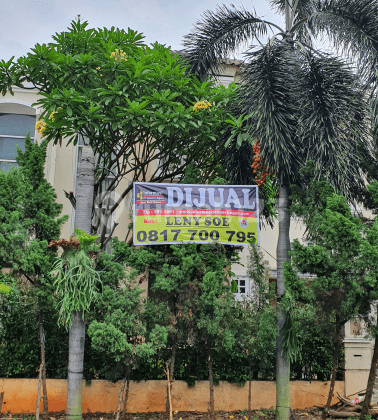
(114, 91)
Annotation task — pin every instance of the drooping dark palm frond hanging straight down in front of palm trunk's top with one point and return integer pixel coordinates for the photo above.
(269, 95)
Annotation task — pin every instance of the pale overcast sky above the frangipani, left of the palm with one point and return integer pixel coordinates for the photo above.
(24, 23)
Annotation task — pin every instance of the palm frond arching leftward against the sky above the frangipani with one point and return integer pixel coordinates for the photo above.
(218, 35)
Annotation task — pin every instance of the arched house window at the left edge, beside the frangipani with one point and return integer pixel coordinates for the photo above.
(13, 130)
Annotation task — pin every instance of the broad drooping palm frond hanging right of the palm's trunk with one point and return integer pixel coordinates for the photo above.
(333, 121)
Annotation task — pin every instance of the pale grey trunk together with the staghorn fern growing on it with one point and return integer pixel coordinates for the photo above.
(77, 281)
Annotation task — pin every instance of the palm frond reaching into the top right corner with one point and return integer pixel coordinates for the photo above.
(353, 28)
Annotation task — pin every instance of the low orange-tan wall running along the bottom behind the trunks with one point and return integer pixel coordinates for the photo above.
(146, 396)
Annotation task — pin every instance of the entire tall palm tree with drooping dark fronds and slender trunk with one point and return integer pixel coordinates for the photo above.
(301, 103)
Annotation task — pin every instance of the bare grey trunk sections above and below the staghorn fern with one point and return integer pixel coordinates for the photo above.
(83, 221)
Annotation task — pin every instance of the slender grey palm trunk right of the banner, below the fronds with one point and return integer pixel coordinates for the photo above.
(283, 248)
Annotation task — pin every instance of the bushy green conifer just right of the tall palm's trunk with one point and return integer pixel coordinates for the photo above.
(341, 256)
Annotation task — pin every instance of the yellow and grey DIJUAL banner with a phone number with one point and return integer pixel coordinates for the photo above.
(179, 213)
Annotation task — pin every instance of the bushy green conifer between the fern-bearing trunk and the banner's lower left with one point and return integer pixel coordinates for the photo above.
(122, 326)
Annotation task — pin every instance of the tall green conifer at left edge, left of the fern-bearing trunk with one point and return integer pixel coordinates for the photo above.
(29, 220)
